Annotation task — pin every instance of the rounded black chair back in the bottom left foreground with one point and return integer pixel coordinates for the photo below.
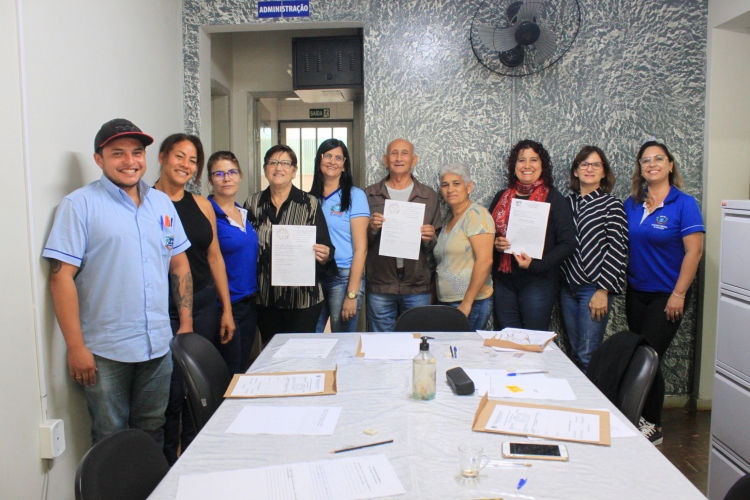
(127, 465)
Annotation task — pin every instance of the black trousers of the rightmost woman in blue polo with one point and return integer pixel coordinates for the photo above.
(646, 316)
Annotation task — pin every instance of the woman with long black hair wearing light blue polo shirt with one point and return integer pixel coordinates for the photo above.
(347, 213)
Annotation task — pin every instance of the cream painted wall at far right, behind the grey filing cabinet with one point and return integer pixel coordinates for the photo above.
(726, 168)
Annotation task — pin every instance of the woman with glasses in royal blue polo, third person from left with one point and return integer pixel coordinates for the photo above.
(239, 246)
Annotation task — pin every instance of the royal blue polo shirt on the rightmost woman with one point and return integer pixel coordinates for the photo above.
(656, 247)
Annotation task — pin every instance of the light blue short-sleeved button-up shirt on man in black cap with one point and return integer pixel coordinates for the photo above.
(123, 255)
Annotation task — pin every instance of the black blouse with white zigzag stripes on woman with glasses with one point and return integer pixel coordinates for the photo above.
(602, 236)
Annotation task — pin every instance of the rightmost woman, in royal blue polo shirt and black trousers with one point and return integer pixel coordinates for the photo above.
(665, 229)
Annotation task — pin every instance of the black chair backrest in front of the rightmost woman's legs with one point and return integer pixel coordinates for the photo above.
(636, 382)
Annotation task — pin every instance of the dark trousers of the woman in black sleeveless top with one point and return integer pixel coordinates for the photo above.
(206, 323)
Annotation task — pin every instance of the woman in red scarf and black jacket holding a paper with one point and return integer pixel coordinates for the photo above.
(526, 288)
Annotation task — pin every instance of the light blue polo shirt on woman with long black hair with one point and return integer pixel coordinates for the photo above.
(339, 226)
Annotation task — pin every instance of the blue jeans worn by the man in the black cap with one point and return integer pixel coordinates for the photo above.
(129, 395)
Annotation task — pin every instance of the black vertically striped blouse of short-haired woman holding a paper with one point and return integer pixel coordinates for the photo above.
(300, 209)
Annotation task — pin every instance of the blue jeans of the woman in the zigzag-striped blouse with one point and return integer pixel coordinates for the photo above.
(585, 334)
